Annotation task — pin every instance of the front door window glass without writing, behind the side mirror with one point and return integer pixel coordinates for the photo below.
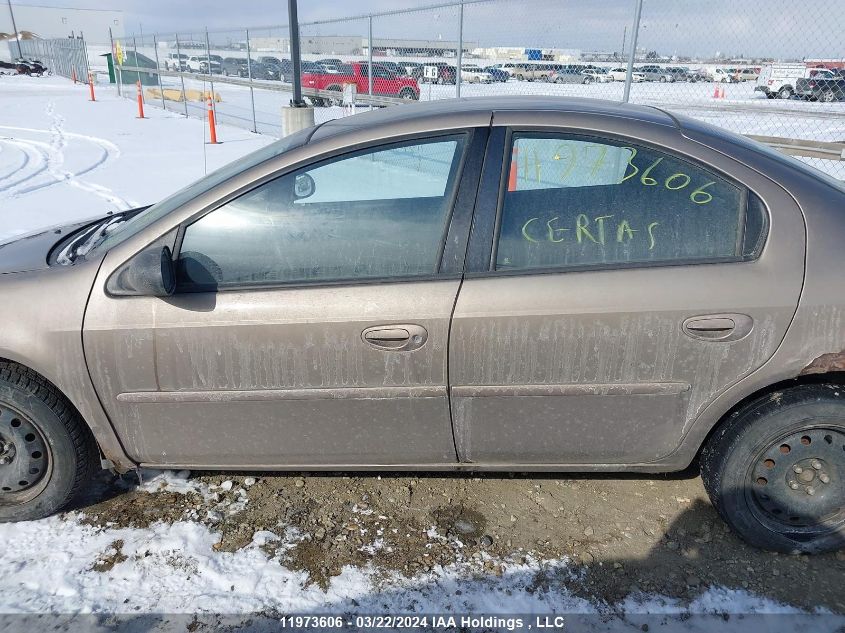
(373, 214)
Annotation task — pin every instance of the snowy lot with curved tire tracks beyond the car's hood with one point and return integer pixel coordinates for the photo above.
(63, 157)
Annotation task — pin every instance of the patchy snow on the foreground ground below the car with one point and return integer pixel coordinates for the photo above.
(62, 565)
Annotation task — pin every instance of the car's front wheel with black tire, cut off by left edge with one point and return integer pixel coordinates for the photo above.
(44, 428)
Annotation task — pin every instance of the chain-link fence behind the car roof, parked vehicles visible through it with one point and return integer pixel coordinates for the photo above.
(772, 70)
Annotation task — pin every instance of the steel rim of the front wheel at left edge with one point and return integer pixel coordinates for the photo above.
(26, 456)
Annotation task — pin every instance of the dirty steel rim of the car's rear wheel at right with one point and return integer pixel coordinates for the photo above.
(795, 485)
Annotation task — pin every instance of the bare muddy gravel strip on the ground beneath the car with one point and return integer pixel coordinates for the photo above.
(625, 533)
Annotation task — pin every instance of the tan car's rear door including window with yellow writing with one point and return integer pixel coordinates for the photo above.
(620, 278)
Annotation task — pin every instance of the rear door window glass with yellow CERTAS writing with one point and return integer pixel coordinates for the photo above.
(579, 201)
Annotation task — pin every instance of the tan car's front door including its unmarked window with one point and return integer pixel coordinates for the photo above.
(310, 321)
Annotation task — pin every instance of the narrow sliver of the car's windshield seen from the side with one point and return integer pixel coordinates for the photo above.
(144, 219)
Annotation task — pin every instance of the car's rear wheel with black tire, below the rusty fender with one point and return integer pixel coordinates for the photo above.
(775, 470)
